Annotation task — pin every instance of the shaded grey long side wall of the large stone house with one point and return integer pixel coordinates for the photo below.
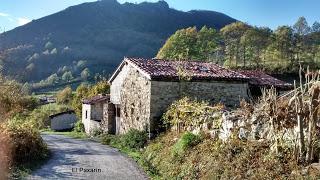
(165, 93)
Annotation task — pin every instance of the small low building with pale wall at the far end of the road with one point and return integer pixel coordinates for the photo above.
(63, 121)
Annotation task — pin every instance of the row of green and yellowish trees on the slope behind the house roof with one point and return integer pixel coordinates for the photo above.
(240, 45)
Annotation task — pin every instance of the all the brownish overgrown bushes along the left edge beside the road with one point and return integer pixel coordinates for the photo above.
(20, 141)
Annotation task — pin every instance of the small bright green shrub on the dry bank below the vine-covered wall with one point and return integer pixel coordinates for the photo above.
(186, 141)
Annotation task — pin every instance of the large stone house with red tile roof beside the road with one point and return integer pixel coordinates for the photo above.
(141, 90)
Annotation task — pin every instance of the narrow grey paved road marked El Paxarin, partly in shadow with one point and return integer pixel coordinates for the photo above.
(84, 159)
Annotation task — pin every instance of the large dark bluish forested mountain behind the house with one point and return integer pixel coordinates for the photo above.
(95, 36)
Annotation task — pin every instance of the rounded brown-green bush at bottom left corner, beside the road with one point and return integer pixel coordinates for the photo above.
(21, 146)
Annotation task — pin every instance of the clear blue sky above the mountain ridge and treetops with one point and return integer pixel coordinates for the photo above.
(271, 13)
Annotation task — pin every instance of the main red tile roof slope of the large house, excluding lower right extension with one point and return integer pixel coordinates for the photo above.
(169, 70)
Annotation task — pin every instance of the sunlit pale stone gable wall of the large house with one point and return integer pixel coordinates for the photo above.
(135, 102)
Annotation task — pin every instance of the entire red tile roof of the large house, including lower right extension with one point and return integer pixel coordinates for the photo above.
(162, 70)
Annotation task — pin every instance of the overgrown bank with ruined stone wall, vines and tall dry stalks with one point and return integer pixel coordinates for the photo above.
(275, 138)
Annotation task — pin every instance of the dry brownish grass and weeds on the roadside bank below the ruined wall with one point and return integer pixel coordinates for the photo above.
(215, 159)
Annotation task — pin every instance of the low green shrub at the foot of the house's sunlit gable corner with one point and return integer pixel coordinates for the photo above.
(134, 139)
